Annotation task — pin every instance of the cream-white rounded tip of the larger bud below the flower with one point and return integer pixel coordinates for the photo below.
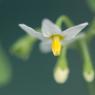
(61, 75)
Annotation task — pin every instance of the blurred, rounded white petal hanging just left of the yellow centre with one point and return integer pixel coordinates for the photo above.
(45, 46)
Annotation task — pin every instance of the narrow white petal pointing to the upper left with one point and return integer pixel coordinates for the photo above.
(31, 31)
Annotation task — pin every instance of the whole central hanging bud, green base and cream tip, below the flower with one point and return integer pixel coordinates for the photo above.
(61, 70)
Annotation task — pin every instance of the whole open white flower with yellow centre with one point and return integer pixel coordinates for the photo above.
(52, 37)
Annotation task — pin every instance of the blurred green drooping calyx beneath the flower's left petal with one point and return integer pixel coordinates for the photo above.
(23, 46)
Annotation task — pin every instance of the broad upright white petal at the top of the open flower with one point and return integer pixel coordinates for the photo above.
(49, 28)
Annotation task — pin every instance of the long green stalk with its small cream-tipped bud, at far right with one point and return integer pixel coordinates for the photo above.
(88, 70)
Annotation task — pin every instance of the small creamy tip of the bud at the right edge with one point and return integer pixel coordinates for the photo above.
(89, 76)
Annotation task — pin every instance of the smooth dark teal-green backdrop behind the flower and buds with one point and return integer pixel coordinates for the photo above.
(35, 76)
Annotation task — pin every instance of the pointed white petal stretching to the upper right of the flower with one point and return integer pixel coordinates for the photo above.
(73, 31)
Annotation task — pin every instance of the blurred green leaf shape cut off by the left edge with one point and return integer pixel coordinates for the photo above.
(5, 68)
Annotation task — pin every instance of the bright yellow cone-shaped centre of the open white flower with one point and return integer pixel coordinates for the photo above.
(56, 45)
